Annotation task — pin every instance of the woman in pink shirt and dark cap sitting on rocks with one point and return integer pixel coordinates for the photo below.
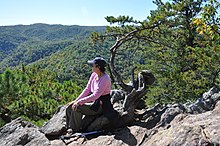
(95, 98)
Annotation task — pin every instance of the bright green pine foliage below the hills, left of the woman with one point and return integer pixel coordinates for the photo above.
(34, 94)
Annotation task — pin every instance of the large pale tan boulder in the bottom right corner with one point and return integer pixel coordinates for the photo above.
(193, 130)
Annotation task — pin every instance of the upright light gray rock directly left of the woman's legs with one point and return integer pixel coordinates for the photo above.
(56, 125)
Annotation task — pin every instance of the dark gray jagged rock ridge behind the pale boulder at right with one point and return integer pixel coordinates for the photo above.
(162, 115)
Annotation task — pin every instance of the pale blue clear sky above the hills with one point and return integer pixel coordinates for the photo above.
(71, 12)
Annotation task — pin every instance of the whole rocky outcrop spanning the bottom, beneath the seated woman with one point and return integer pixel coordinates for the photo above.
(161, 125)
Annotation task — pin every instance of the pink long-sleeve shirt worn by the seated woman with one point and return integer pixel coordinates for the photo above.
(96, 86)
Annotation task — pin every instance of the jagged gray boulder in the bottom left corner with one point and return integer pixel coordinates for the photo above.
(19, 132)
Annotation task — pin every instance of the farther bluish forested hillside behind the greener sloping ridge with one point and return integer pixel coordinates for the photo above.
(22, 44)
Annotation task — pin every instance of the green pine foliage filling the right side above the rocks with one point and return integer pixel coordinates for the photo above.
(179, 42)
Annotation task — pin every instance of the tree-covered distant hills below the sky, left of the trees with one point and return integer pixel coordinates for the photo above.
(55, 47)
